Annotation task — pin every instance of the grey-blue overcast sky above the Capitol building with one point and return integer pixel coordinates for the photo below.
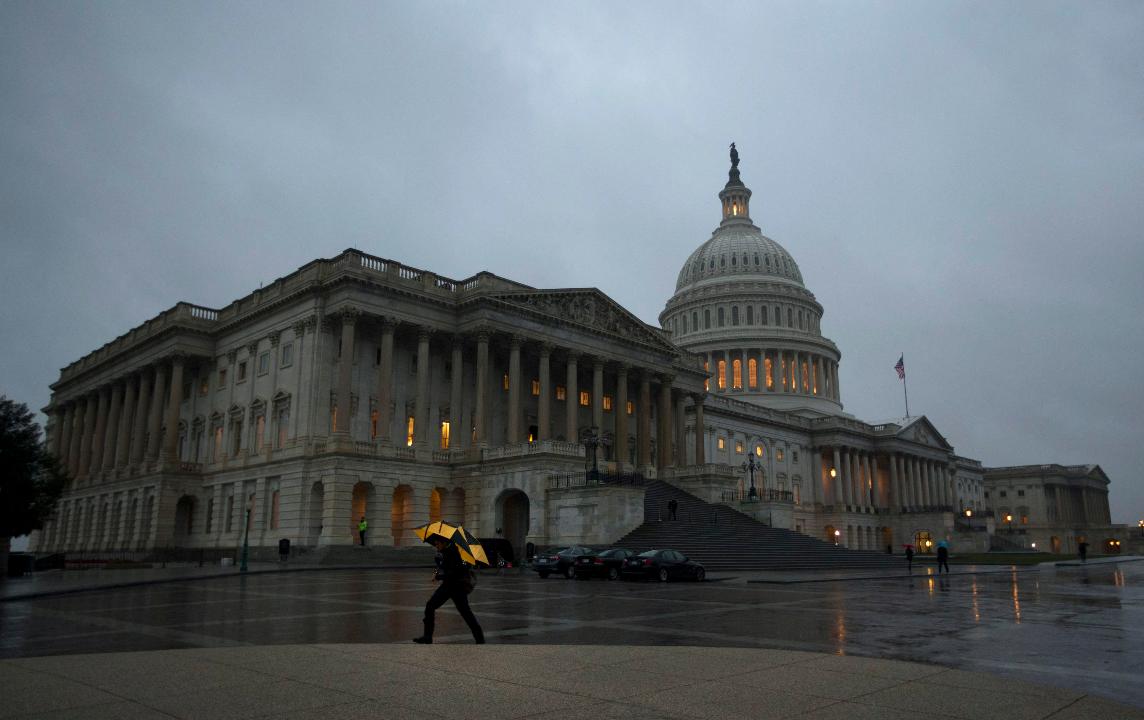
(960, 183)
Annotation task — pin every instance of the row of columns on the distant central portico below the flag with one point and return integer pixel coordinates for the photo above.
(915, 482)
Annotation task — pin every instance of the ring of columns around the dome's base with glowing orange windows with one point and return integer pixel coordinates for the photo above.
(776, 371)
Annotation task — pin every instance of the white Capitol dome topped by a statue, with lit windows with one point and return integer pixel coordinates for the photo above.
(741, 303)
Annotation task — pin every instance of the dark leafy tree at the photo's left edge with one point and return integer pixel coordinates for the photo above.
(31, 479)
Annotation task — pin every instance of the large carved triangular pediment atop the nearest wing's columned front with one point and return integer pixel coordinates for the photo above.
(590, 308)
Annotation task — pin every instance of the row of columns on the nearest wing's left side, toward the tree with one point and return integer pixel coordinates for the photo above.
(122, 424)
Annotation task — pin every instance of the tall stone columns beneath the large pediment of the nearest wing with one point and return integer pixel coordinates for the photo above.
(670, 431)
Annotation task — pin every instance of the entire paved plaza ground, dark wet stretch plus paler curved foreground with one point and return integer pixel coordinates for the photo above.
(1063, 644)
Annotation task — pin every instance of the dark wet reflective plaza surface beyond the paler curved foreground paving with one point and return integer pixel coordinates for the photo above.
(1079, 628)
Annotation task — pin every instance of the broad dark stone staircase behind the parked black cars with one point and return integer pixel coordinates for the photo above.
(725, 540)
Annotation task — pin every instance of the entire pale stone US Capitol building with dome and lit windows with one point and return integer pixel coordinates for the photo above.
(359, 387)
